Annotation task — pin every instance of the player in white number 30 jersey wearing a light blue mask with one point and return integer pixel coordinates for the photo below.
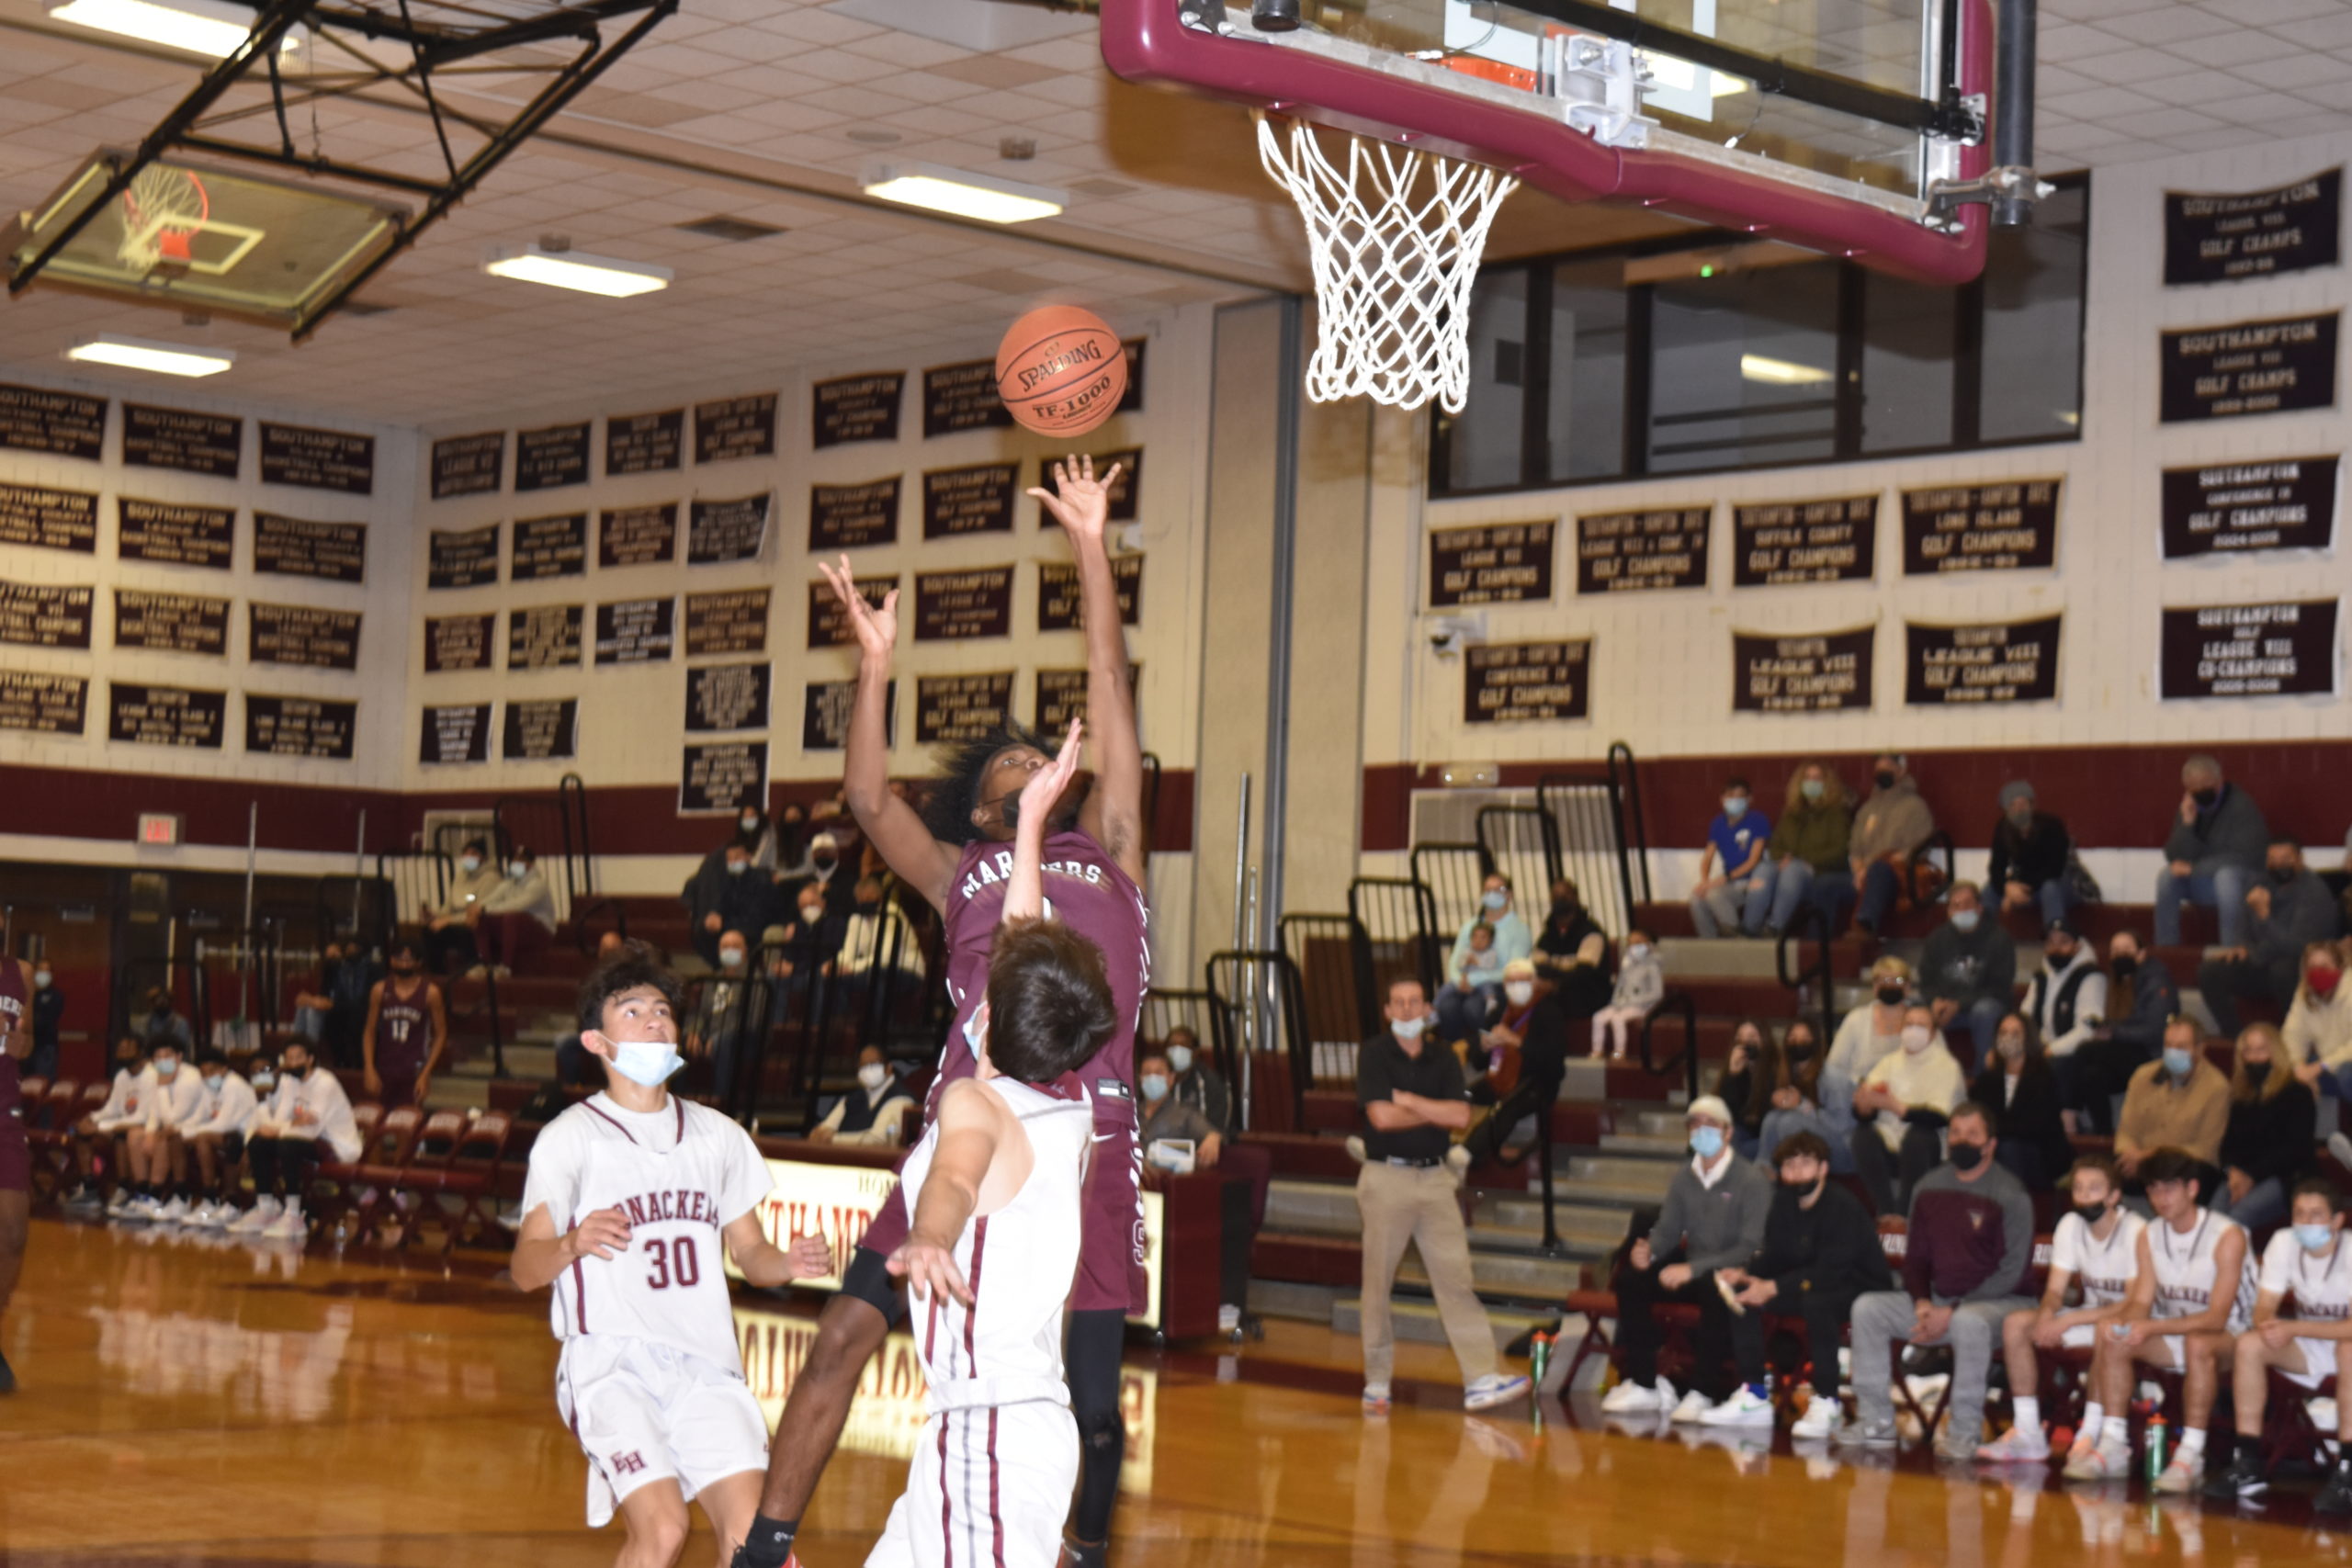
(629, 1200)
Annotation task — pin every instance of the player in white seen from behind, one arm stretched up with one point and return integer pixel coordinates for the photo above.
(991, 1252)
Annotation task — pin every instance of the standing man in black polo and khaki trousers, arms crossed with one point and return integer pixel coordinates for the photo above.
(1410, 1097)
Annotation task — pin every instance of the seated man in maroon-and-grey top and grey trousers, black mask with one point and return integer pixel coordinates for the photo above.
(1965, 1261)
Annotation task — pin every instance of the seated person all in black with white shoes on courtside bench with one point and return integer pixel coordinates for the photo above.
(1822, 1252)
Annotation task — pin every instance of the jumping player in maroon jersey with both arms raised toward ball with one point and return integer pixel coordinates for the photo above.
(958, 857)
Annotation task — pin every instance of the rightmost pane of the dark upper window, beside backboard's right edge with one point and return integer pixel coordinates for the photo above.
(2033, 323)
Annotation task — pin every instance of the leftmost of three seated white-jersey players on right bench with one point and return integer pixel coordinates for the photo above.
(2094, 1254)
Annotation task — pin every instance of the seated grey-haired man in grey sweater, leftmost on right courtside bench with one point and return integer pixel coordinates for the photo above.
(1713, 1219)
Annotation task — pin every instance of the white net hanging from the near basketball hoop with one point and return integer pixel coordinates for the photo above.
(1396, 241)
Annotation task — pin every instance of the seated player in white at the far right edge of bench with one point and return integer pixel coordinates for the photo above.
(2311, 1264)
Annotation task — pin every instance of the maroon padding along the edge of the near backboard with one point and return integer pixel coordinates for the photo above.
(1147, 43)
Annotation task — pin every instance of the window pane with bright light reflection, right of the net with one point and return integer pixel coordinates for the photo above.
(1744, 368)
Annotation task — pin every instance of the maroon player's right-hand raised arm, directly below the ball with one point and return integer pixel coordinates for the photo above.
(1114, 815)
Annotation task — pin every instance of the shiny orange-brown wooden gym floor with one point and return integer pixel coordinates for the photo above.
(220, 1405)
